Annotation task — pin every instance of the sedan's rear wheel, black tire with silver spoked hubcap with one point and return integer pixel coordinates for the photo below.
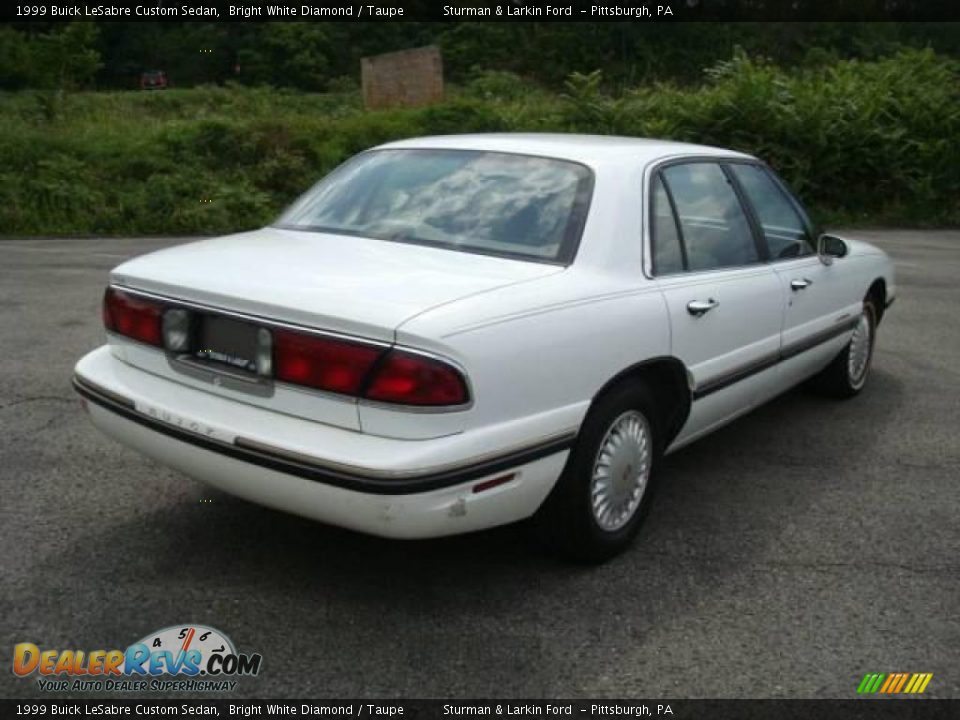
(613, 458)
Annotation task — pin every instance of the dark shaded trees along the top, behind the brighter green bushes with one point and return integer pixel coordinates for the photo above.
(320, 55)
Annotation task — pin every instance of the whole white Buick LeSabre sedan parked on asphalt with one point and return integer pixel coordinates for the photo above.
(451, 333)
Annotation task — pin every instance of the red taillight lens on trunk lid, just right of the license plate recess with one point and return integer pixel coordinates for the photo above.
(323, 363)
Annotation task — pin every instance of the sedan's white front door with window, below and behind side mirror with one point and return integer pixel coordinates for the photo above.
(819, 304)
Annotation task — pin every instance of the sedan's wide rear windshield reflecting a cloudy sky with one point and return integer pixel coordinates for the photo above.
(531, 208)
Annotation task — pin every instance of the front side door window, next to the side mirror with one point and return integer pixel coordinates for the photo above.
(783, 228)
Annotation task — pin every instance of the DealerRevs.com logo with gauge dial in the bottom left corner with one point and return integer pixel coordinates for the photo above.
(178, 658)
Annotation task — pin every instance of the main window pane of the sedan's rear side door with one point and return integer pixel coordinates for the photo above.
(714, 228)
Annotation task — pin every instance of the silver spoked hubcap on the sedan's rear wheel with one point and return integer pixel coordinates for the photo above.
(621, 471)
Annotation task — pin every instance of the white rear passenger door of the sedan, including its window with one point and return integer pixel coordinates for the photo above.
(724, 301)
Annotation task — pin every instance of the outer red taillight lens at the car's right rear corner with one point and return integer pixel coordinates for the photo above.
(410, 379)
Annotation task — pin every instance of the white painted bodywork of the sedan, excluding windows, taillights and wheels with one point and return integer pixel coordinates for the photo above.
(536, 341)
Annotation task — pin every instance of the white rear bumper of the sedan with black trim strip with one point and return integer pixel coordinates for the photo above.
(388, 487)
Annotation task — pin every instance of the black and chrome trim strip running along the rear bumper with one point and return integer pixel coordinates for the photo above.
(317, 470)
